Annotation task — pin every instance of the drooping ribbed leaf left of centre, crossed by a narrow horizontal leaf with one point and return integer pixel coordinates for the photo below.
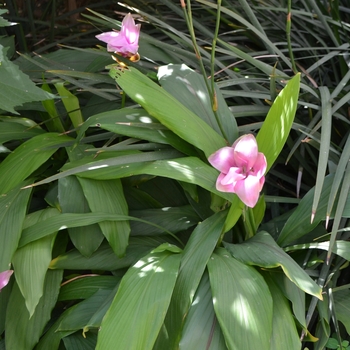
(108, 196)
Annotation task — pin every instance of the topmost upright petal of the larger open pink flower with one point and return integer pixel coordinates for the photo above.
(246, 151)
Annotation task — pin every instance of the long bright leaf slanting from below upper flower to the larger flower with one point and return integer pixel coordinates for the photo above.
(170, 112)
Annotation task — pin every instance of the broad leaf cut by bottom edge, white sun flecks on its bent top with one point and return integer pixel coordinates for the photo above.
(139, 307)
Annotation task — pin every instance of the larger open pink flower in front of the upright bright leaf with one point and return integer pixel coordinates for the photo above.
(242, 169)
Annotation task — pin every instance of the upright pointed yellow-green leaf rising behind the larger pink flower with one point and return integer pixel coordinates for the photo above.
(275, 130)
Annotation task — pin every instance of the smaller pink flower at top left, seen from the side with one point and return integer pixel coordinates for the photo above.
(125, 42)
